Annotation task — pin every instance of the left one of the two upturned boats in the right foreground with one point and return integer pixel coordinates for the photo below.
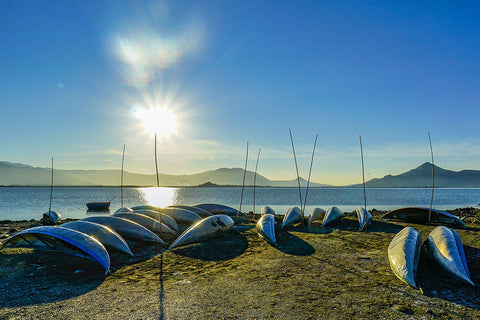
(403, 255)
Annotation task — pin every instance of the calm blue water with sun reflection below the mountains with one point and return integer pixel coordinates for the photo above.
(20, 203)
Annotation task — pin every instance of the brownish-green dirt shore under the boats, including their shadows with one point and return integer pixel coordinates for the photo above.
(330, 273)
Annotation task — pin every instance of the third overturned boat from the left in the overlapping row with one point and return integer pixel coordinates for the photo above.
(127, 229)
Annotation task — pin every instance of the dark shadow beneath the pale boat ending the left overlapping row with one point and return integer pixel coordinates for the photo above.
(226, 247)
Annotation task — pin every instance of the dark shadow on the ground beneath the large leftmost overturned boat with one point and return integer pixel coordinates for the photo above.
(37, 277)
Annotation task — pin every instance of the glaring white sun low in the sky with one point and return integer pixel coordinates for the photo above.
(160, 121)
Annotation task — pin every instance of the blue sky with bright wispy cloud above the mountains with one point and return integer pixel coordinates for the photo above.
(78, 79)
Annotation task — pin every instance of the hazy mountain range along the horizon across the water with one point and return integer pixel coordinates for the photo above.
(17, 174)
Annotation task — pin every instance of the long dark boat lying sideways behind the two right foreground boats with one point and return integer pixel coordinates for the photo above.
(420, 216)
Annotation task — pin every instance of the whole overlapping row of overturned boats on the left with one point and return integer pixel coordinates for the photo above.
(97, 237)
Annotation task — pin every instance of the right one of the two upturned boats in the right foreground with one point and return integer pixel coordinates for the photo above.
(445, 247)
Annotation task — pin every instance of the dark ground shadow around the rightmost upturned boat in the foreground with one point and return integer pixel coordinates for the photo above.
(437, 283)
